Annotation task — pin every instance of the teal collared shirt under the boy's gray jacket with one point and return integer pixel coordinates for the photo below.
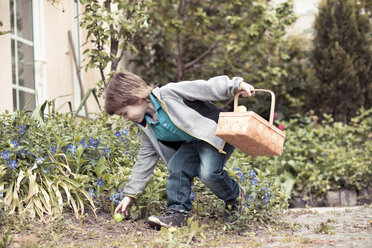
(164, 128)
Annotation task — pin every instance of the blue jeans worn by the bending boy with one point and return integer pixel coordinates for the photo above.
(204, 161)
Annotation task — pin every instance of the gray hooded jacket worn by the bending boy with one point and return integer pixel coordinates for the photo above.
(189, 108)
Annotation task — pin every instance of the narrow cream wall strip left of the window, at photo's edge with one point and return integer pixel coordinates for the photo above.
(6, 98)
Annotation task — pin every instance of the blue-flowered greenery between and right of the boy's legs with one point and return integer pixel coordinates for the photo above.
(262, 201)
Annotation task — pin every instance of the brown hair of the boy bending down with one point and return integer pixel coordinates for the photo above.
(123, 89)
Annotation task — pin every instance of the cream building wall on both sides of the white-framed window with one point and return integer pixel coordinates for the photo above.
(60, 74)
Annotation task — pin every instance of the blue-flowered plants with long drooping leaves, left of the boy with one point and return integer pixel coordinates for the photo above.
(56, 161)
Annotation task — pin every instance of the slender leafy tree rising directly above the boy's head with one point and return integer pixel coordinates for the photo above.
(112, 27)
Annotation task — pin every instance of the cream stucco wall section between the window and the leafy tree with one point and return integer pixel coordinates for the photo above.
(60, 63)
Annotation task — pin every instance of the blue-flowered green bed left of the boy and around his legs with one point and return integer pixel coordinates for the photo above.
(52, 162)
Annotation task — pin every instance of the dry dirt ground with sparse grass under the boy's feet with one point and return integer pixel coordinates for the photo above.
(303, 227)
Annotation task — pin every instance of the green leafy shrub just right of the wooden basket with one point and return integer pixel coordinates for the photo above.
(322, 157)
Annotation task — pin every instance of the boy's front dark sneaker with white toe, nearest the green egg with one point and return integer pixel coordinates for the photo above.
(171, 219)
